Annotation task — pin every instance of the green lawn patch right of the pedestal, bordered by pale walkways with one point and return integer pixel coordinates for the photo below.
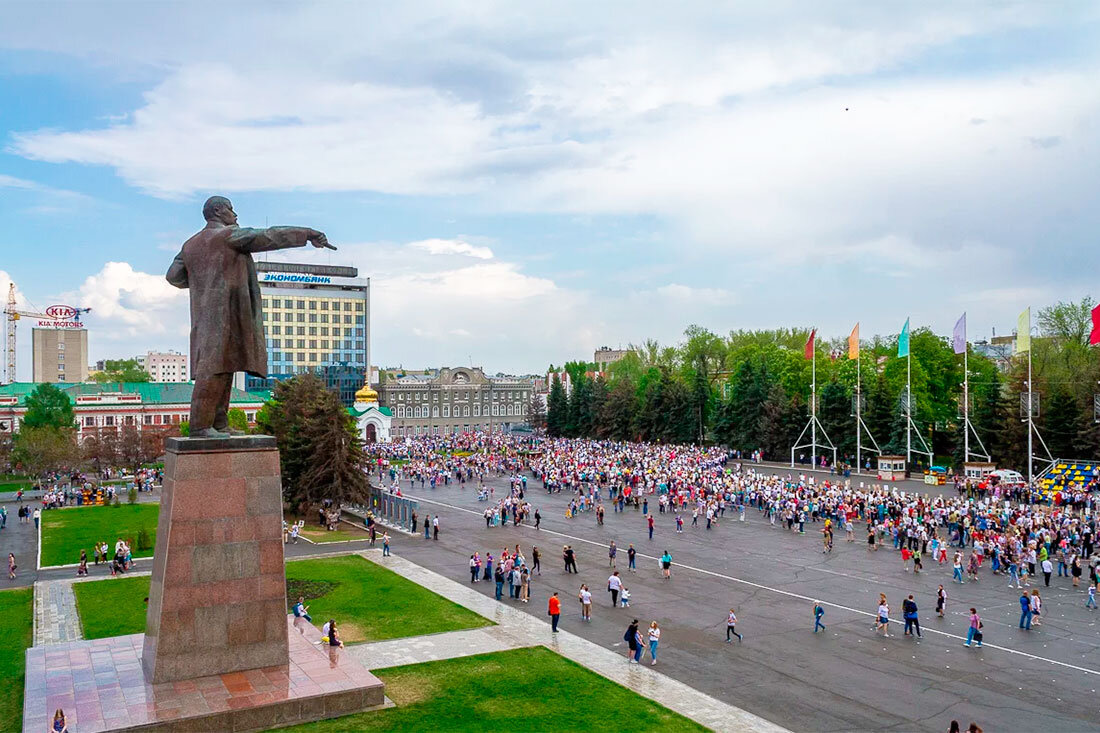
(373, 604)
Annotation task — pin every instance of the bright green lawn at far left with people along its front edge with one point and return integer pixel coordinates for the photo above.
(68, 531)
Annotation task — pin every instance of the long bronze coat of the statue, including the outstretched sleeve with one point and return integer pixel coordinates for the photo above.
(227, 320)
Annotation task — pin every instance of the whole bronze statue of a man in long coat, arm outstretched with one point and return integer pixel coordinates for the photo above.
(227, 319)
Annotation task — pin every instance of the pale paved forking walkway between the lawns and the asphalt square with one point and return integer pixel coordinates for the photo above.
(516, 629)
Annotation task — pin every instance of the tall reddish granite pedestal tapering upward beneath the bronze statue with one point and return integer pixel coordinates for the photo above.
(217, 600)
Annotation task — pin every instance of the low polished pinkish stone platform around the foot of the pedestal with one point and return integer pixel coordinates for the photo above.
(102, 687)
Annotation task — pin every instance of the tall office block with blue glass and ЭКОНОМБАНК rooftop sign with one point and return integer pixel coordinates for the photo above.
(316, 321)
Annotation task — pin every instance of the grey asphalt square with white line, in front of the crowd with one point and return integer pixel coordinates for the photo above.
(848, 679)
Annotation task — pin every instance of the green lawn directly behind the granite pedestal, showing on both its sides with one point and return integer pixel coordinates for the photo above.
(368, 601)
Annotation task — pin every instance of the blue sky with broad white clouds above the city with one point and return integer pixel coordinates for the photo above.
(524, 183)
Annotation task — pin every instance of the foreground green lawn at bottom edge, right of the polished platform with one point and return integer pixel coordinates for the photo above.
(532, 690)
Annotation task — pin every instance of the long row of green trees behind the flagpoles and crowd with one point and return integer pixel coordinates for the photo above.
(752, 390)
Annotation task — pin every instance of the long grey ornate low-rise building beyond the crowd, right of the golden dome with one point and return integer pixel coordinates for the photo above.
(458, 400)
